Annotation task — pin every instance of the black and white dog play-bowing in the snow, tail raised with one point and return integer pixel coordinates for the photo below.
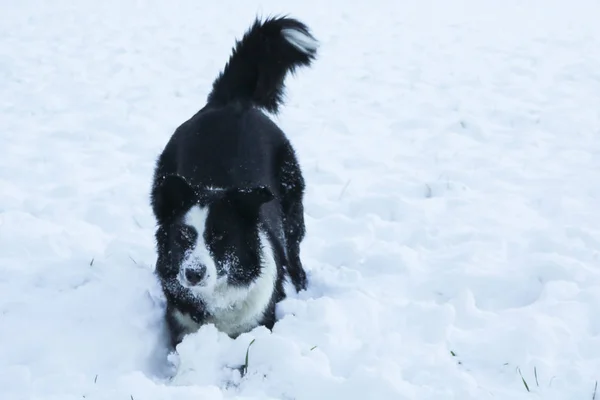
(228, 192)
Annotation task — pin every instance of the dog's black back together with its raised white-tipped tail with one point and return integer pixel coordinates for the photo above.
(230, 141)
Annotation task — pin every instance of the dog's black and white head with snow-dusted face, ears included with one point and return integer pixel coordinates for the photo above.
(208, 235)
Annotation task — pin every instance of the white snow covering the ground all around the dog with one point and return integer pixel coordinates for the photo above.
(451, 155)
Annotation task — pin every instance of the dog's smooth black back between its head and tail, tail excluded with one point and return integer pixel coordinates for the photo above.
(227, 146)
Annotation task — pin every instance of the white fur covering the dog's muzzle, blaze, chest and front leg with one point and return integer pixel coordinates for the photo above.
(234, 310)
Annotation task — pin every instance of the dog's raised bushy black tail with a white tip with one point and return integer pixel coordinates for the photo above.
(259, 63)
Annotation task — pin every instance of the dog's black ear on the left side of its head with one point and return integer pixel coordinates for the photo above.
(171, 195)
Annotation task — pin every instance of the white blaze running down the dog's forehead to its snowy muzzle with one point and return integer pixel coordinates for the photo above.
(200, 254)
